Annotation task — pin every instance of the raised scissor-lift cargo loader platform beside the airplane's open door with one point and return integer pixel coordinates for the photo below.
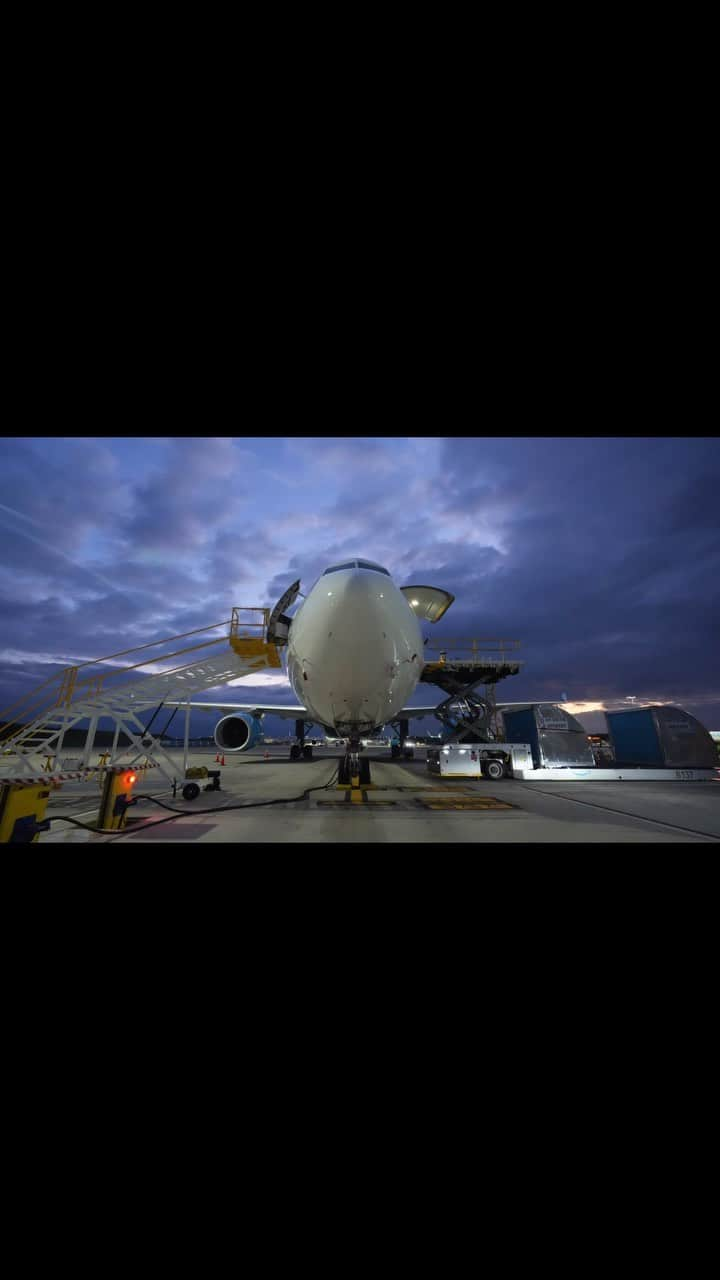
(461, 669)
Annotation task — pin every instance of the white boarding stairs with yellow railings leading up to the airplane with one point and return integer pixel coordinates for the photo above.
(89, 692)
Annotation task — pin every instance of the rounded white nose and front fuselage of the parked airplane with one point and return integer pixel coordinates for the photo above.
(356, 650)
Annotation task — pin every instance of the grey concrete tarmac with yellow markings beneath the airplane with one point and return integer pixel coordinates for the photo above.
(289, 803)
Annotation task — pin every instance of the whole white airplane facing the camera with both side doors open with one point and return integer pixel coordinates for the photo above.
(354, 656)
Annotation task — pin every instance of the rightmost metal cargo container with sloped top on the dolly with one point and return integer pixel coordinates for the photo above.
(664, 738)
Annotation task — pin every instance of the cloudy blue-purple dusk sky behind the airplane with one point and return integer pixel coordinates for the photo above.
(603, 556)
